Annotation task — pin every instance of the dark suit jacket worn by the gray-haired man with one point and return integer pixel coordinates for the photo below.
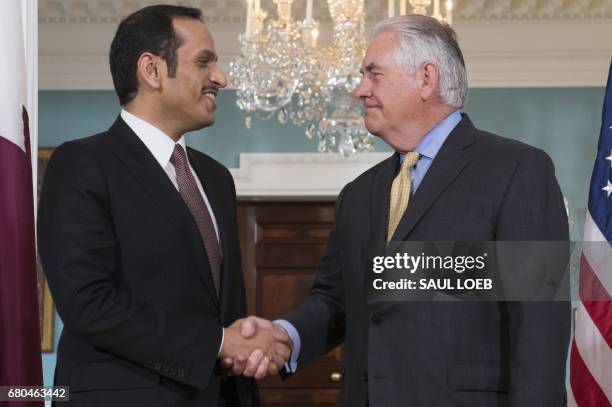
(480, 187)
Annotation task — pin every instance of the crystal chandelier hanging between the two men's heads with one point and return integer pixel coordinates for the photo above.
(282, 71)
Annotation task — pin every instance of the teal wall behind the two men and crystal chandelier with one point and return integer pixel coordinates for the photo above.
(562, 121)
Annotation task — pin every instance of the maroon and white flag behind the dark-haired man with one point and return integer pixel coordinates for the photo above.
(20, 356)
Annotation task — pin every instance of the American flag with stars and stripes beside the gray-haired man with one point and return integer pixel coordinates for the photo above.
(591, 354)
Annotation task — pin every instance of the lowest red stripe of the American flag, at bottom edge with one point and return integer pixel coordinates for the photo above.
(586, 391)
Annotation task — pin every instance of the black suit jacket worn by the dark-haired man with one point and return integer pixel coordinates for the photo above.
(130, 277)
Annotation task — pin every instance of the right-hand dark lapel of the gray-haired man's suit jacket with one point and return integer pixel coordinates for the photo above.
(449, 162)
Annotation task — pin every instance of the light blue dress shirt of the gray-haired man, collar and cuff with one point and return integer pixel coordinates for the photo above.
(428, 149)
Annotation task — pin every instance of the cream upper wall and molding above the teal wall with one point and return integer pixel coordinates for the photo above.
(506, 43)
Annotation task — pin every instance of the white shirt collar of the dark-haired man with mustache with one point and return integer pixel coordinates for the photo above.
(156, 141)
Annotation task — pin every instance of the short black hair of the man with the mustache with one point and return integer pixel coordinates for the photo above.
(146, 30)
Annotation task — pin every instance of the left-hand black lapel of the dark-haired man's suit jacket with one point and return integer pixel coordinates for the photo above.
(154, 180)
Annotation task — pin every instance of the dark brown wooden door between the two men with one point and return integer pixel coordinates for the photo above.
(281, 245)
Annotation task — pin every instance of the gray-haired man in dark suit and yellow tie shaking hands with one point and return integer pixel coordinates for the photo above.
(447, 180)
